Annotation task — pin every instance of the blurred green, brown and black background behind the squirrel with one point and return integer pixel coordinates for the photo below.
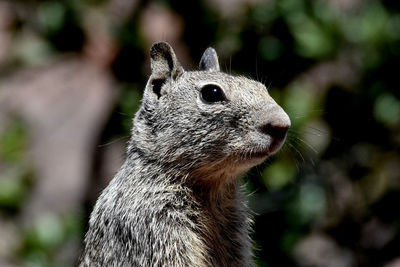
(72, 74)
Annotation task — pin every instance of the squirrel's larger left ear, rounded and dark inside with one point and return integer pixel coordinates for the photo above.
(164, 64)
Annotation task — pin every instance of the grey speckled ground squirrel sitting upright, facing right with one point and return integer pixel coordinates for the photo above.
(177, 199)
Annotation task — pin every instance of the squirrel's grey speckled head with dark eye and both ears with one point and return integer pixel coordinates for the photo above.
(206, 122)
